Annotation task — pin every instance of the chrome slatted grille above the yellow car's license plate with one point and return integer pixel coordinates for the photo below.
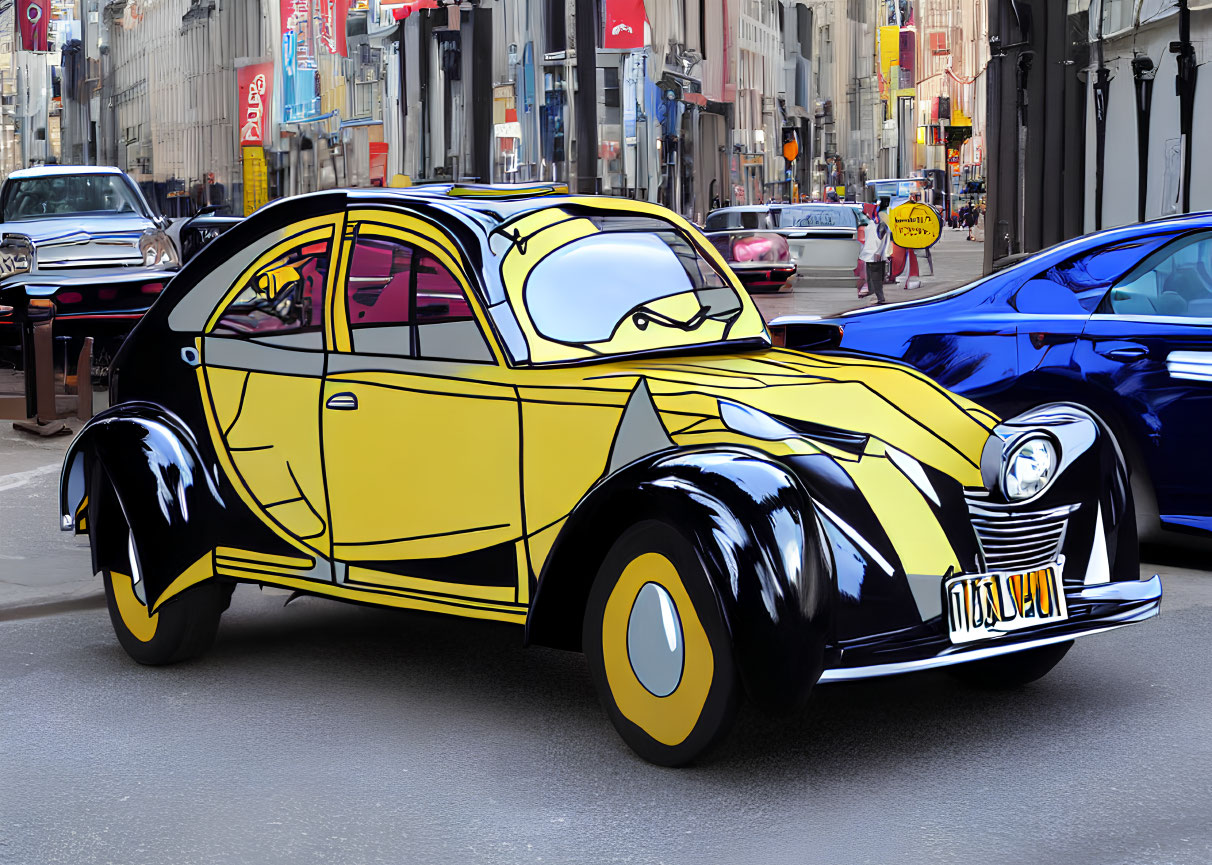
(1016, 541)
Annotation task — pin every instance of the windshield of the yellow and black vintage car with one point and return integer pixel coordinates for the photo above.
(631, 284)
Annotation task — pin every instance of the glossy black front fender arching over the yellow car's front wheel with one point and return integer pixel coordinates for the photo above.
(754, 530)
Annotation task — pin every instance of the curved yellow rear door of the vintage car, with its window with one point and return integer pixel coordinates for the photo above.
(262, 358)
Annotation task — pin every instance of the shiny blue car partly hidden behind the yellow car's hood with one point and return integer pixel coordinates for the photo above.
(1119, 322)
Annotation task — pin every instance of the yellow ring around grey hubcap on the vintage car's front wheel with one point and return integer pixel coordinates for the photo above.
(671, 719)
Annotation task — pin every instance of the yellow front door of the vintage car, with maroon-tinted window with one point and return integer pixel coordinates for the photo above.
(420, 423)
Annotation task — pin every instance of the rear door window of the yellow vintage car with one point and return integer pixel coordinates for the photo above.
(285, 296)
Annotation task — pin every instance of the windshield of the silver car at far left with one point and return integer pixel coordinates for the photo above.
(66, 196)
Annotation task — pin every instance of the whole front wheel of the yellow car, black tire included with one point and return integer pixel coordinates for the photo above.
(668, 727)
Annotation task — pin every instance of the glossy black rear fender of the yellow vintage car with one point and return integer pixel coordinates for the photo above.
(155, 466)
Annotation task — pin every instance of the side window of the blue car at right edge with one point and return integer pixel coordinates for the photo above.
(1176, 280)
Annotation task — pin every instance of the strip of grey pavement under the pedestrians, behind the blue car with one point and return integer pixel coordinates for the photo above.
(957, 262)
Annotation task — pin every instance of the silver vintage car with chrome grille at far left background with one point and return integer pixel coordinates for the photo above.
(59, 217)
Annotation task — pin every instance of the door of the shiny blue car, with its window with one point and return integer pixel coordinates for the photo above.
(1151, 342)
